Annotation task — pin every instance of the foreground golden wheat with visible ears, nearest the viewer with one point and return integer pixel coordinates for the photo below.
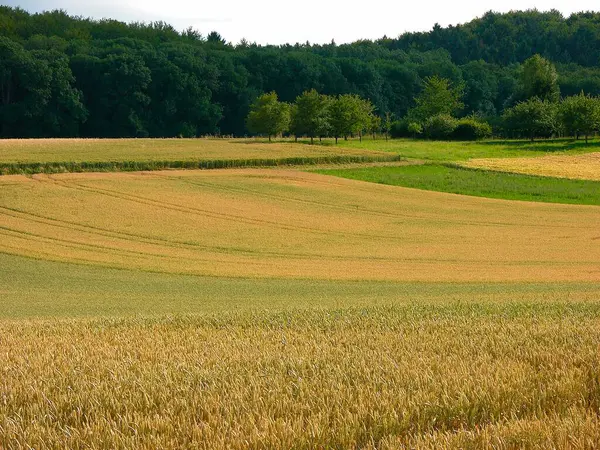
(450, 376)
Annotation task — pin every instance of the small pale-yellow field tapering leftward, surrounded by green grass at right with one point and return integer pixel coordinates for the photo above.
(585, 167)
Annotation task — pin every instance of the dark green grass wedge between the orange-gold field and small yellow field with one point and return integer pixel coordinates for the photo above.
(480, 183)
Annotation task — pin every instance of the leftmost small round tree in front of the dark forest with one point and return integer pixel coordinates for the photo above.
(268, 116)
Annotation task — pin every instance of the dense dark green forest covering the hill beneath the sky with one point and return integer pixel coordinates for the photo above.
(70, 76)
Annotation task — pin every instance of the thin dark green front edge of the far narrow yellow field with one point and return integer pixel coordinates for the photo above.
(135, 166)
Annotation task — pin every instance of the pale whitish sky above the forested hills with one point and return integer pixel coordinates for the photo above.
(316, 21)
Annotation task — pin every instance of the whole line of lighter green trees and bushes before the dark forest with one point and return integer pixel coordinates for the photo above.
(539, 112)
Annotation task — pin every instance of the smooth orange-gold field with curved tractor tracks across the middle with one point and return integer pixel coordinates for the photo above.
(283, 223)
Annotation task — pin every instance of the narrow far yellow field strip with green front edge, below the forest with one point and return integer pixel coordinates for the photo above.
(108, 155)
